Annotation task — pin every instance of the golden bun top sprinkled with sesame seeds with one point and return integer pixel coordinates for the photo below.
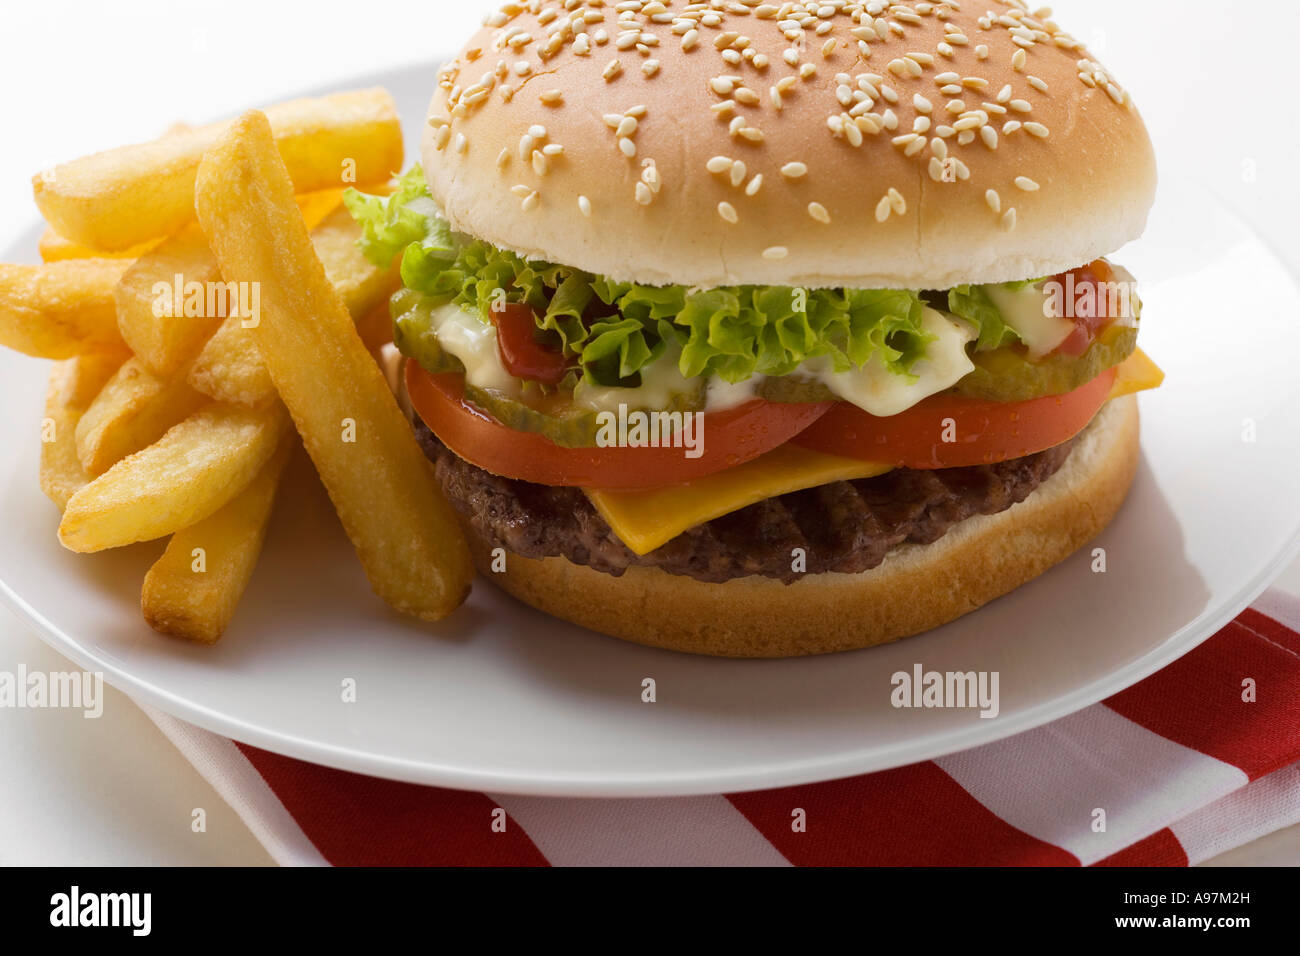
(863, 145)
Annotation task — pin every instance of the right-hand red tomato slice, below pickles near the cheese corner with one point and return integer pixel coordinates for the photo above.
(980, 432)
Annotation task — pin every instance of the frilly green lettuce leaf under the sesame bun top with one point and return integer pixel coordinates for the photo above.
(616, 330)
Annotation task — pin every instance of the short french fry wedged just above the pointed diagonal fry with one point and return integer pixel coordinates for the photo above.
(135, 409)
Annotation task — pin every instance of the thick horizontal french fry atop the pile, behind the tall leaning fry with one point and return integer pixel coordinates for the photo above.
(124, 197)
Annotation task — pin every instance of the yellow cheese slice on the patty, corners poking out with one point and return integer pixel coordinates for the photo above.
(649, 518)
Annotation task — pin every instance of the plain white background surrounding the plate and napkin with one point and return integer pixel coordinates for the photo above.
(77, 77)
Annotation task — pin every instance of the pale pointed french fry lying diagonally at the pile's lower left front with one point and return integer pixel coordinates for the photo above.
(190, 473)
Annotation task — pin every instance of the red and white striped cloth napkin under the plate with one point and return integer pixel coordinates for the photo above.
(1181, 768)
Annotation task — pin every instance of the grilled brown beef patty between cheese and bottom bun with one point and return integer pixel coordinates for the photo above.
(844, 526)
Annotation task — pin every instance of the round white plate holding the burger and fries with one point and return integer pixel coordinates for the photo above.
(505, 699)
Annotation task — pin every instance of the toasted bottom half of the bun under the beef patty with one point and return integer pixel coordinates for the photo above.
(915, 590)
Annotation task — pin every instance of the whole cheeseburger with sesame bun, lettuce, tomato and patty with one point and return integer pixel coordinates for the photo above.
(762, 330)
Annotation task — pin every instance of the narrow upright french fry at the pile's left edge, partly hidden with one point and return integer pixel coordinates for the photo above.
(73, 386)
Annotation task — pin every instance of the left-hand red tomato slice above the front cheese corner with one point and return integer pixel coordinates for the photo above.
(730, 439)
